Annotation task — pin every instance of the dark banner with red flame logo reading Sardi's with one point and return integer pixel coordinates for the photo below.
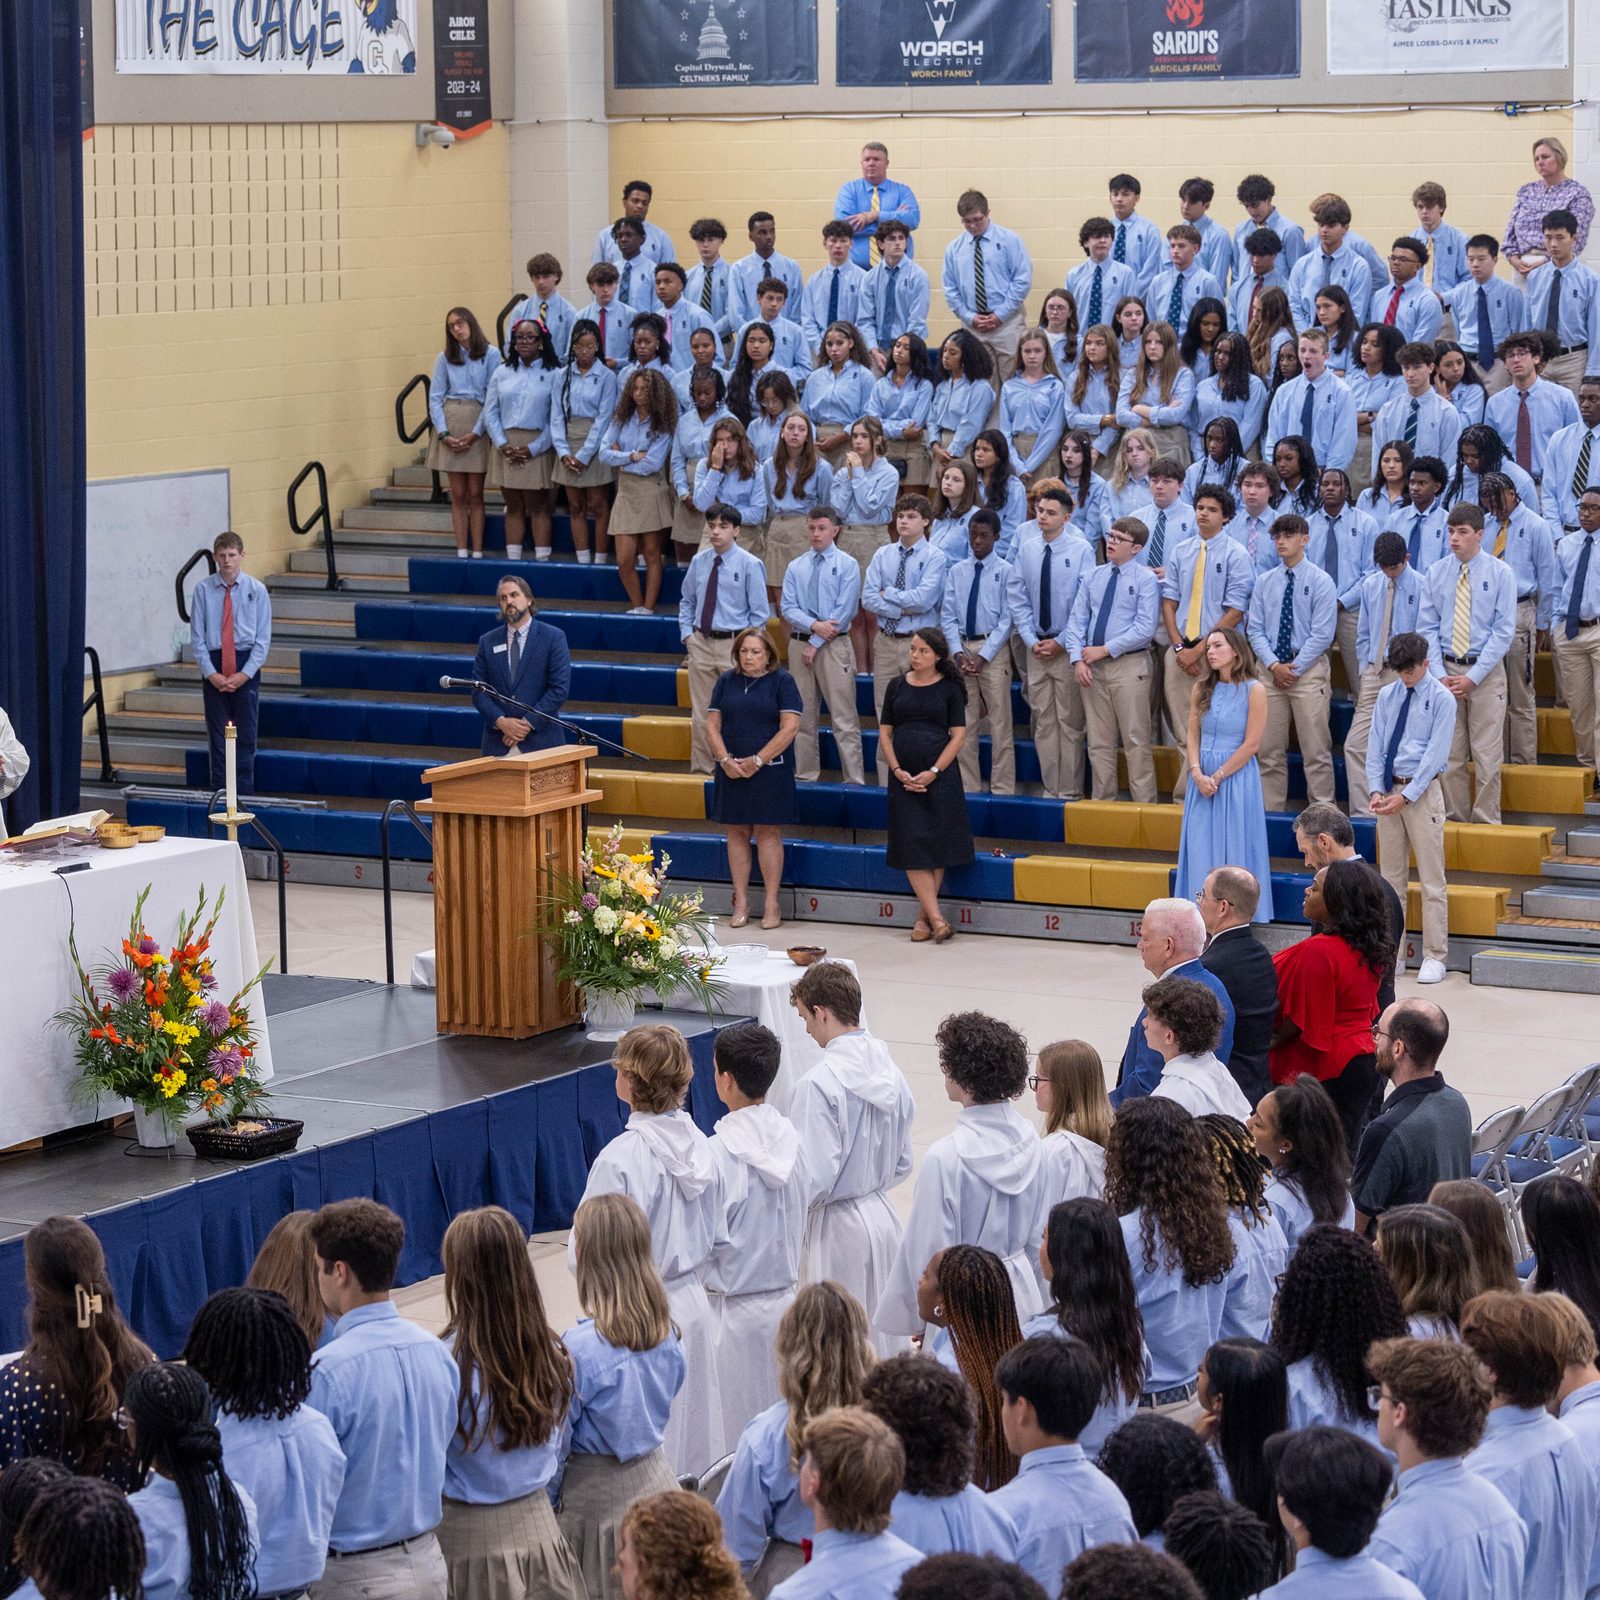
(1148, 41)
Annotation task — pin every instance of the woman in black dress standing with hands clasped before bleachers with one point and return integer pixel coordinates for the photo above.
(921, 732)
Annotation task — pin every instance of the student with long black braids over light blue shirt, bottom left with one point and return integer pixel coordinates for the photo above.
(199, 1527)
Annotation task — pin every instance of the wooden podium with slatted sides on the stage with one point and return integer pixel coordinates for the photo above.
(505, 830)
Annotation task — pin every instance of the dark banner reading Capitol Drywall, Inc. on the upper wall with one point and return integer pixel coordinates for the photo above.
(713, 44)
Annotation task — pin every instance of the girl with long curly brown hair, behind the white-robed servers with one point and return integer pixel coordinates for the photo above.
(1164, 1186)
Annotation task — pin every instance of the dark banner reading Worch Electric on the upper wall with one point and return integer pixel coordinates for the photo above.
(943, 44)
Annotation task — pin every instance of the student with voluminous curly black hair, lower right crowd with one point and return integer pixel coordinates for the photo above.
(1334, 1303)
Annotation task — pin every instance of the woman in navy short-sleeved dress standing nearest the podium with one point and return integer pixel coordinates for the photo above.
(753, 721)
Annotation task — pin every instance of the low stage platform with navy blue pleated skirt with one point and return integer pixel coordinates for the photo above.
(428, 1124)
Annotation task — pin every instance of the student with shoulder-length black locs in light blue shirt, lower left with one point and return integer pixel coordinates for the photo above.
(252, 1351)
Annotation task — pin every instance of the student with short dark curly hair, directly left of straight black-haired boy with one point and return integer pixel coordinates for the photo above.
(938, 1506)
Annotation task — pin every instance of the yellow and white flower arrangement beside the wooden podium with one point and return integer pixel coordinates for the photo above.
(622, 932)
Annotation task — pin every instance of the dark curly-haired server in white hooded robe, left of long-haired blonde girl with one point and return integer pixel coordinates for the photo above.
(978, 1185)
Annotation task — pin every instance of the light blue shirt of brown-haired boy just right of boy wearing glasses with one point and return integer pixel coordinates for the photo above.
(1538, 1465)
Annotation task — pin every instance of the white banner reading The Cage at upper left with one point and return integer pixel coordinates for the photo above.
(255, 38)
